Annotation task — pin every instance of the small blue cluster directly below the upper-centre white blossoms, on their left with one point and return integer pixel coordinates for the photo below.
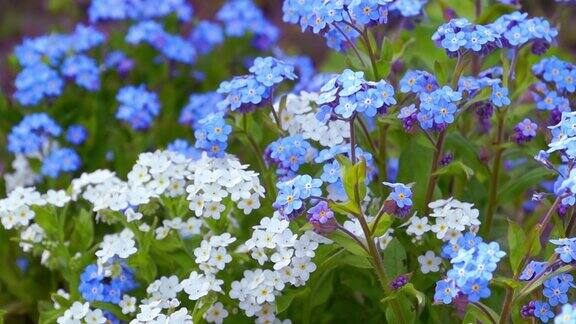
(288, 154)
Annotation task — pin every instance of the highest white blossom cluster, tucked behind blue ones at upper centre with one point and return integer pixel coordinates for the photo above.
(299, 117)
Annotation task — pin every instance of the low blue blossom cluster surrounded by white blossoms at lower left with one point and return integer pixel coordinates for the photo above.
(106, 285)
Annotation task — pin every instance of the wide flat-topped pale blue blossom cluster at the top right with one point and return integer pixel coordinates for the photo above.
(514, 30)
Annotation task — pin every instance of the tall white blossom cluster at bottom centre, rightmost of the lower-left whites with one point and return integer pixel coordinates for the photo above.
(290, 256)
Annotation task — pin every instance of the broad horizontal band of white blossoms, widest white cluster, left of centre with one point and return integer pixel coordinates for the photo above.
(207, 182)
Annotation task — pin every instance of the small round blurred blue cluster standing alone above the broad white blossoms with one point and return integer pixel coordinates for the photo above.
(138, 107)
